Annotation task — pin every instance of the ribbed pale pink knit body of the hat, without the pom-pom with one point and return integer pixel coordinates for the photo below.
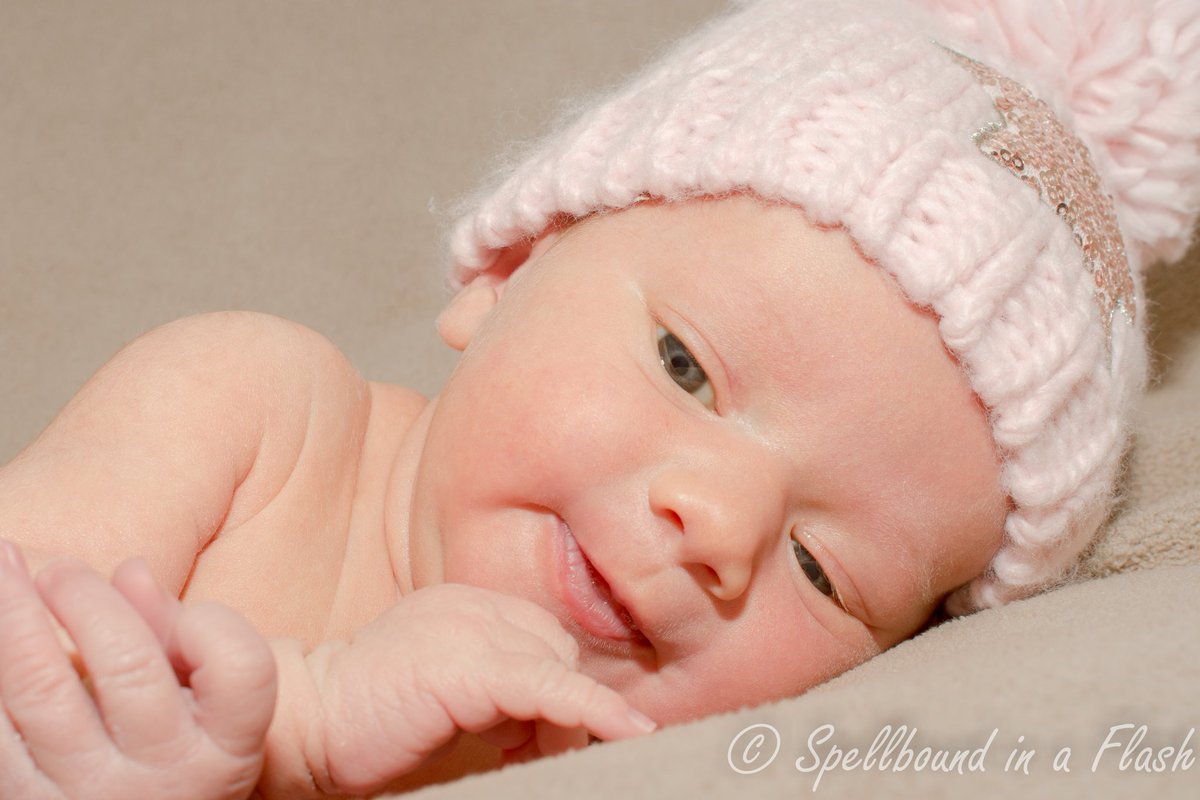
(863, 115)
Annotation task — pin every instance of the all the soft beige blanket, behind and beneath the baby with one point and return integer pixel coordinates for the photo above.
(163, 159)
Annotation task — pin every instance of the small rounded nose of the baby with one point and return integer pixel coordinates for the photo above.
(727, 519)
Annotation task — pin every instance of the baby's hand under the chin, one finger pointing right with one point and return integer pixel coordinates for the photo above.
(454, 658)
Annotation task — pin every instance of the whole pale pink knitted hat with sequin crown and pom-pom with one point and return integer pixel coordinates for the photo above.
(1013, 165)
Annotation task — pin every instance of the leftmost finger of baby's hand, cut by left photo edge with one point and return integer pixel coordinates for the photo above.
(39, 687)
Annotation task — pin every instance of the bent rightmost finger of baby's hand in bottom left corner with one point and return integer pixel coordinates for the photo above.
(232, 675)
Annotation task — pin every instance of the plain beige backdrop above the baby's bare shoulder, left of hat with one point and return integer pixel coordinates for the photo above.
(301, 158)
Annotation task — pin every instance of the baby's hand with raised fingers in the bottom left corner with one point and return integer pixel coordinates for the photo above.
(175, 703)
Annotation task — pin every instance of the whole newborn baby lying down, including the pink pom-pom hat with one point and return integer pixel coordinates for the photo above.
(823, 324)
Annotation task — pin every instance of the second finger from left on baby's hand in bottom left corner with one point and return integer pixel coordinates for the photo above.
(135, 687)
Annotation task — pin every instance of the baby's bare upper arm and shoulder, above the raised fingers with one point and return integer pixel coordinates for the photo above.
(189, 431)
